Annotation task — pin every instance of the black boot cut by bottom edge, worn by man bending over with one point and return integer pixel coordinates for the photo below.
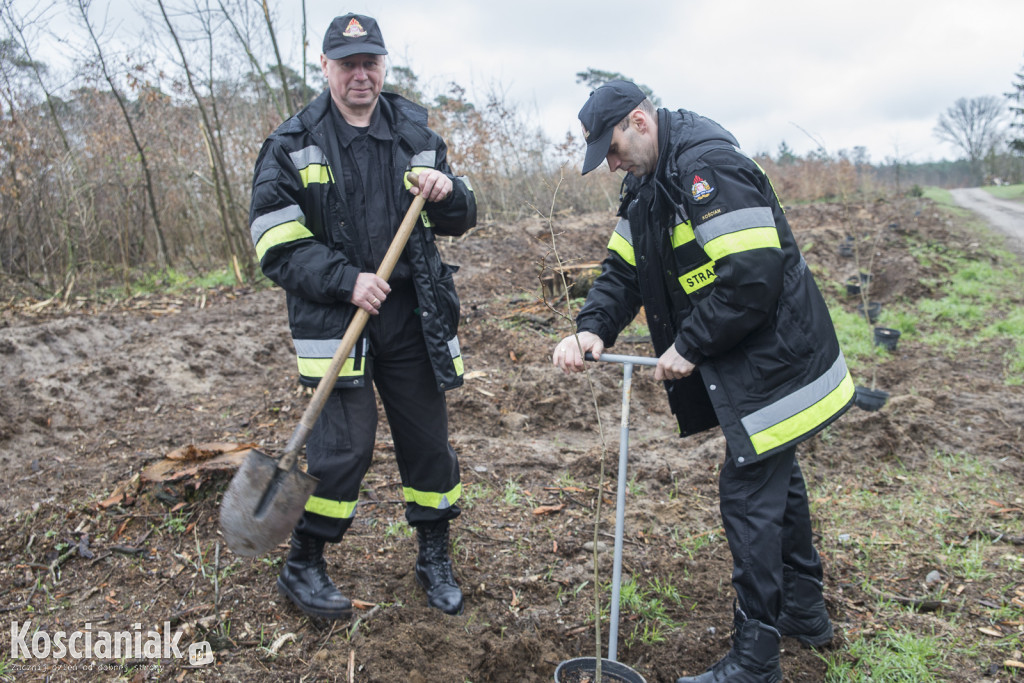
(754, 658)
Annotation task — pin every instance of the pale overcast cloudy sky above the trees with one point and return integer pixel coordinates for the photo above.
(832, 73)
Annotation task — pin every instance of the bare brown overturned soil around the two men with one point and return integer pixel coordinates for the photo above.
(95, 394)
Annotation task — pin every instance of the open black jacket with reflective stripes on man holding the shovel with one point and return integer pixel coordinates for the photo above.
(309, 242)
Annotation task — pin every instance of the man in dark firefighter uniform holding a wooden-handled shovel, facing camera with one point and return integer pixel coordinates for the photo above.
(330, 190)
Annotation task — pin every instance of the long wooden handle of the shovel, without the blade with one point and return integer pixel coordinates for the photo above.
(353, 333)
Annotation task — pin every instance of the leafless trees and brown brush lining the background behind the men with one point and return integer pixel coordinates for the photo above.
(132, 166)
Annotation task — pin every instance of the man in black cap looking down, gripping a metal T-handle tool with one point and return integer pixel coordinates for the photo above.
(745, 341)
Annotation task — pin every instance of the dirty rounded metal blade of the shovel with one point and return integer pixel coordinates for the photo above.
(263, 504)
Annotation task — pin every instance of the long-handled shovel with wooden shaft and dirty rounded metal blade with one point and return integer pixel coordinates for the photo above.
(268, 496)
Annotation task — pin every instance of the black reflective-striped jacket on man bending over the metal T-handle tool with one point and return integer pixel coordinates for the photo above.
(705, 246)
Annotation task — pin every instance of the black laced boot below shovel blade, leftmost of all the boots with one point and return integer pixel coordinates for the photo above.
(304, 580)
